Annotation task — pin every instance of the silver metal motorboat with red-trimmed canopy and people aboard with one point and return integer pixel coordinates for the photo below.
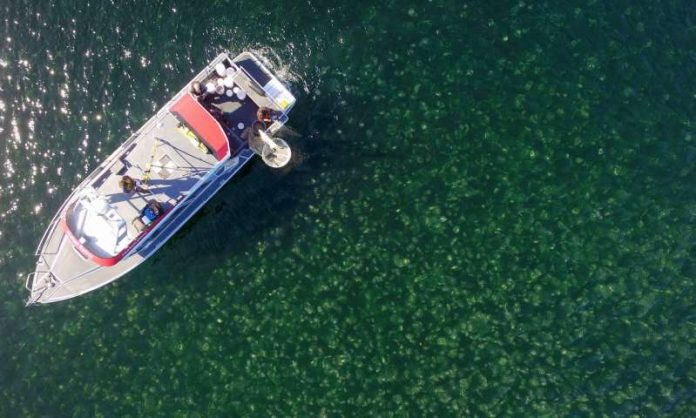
(152, 184)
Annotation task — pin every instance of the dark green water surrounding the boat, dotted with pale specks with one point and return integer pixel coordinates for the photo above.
(491, 213)
